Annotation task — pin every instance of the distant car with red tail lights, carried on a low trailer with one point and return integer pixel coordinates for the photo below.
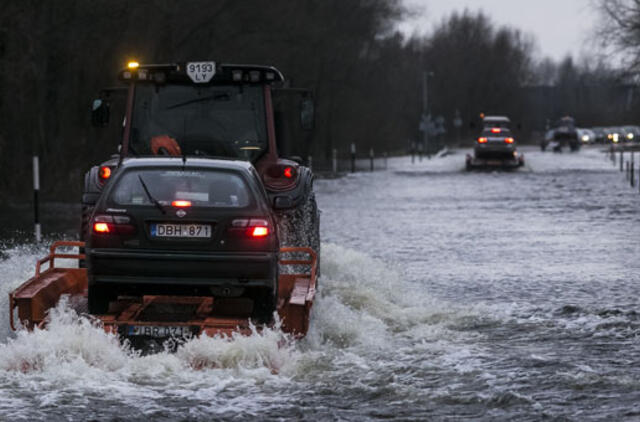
(495, 148)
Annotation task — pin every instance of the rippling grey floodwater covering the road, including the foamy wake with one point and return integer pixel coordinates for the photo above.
(445, 295)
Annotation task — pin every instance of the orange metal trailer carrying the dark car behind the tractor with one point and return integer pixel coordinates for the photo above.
(153, 317)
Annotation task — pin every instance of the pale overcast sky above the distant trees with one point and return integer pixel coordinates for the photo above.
(560, 27)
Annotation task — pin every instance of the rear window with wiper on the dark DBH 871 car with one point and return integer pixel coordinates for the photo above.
(203, 188)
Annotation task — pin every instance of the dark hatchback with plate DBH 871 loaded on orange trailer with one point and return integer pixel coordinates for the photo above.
(184, 227)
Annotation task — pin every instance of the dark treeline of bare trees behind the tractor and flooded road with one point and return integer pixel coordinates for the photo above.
(366, 77)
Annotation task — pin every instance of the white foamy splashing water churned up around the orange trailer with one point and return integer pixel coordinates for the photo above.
(363, 304)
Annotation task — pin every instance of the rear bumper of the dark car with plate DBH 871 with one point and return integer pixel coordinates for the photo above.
(192, 268)
